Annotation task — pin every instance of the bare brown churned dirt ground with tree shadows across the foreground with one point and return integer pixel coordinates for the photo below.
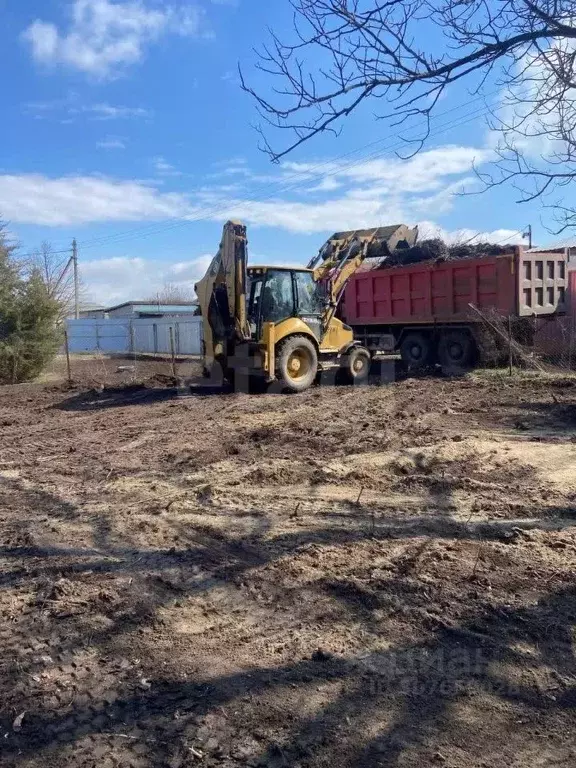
(359, 577)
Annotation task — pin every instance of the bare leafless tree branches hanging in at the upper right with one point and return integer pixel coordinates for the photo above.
(407, 53)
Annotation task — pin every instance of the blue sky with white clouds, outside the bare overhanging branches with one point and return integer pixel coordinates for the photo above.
(124, 126)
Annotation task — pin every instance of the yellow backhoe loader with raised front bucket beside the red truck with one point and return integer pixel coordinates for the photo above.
(279, 323)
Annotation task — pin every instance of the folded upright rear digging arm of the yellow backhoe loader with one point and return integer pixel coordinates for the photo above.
(222, 294)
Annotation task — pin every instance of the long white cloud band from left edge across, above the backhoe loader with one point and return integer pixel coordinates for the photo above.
(367, 194)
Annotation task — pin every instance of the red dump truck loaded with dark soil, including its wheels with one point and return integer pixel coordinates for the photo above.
(440, 311)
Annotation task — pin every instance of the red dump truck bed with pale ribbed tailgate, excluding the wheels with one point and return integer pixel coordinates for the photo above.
(520, 283)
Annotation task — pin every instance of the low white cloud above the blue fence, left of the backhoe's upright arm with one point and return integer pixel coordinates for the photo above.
(125, 278)
